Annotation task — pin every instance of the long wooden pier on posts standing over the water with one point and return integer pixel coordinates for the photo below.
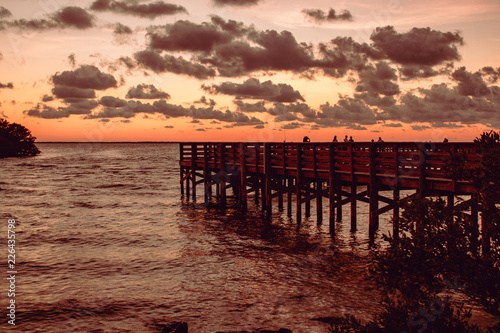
(306, 172)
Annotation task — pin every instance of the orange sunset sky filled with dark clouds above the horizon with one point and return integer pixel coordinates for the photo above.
(250, 70)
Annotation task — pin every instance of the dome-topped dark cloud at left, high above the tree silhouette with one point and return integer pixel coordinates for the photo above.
(86, 77)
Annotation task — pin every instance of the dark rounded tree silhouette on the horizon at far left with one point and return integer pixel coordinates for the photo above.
(16, 140)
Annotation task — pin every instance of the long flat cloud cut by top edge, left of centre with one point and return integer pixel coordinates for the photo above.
(151, 10)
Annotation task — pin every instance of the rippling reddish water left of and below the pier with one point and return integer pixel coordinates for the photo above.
(105, 244)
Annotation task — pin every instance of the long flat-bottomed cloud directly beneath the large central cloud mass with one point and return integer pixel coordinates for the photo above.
(254, 89)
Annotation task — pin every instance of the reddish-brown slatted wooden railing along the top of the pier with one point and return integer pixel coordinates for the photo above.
(412, 165)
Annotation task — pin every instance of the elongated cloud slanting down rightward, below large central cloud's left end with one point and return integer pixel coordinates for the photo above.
(159, 64)
